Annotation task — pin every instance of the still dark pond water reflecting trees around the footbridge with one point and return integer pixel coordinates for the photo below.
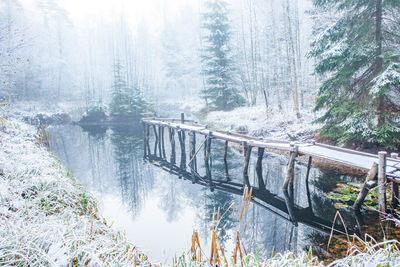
(160, 210)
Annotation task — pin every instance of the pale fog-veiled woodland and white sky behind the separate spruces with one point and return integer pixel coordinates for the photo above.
(64, 52)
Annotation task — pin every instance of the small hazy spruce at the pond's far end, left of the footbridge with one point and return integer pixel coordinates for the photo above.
(127, 101)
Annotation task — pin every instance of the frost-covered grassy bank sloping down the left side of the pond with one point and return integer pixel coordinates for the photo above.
(46, 218)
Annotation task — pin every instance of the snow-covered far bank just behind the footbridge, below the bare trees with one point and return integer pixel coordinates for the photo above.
(248, 120)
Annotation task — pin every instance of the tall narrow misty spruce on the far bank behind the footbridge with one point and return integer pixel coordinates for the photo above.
(220, 91)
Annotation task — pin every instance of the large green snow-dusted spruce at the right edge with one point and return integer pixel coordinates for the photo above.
(359, 58)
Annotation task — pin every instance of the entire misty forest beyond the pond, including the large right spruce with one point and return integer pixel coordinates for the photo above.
(286, 57)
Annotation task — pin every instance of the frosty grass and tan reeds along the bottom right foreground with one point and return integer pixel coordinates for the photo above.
(365, 252)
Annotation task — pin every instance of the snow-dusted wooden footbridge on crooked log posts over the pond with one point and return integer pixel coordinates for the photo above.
(382, 169)
